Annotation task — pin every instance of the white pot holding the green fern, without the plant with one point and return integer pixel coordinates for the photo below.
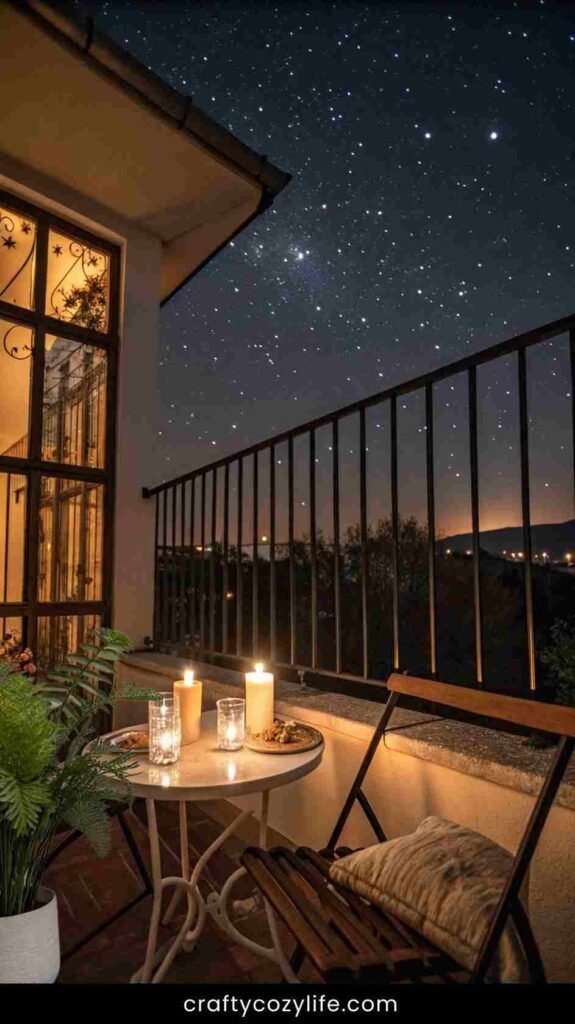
(30, 946)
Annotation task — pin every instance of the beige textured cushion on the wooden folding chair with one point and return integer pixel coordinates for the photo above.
(445, 881)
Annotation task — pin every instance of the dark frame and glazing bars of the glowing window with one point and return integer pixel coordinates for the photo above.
(30, 610)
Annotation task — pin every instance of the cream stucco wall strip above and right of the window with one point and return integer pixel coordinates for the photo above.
(137, 437)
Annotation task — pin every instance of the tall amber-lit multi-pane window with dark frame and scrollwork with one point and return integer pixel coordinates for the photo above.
(59, 349)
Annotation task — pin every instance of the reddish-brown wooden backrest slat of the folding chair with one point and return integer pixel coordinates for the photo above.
(517, 711)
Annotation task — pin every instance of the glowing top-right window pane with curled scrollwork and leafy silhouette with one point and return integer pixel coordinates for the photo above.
(85, 304)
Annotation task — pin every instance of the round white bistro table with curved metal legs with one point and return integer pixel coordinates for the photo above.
(204, 773)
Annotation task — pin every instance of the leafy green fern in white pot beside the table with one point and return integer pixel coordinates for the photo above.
(48, 784)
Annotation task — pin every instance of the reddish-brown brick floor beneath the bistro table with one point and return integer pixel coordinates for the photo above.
(90, 890)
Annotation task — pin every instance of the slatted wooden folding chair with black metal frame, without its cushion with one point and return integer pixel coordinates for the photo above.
(346, 937)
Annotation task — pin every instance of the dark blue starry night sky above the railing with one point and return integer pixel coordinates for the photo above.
(430, 216)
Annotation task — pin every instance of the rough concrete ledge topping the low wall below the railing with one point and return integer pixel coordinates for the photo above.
(498, 757)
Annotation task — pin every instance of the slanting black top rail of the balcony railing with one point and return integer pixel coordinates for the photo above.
(502, 349)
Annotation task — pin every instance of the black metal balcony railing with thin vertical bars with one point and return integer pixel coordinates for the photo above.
(338, 588)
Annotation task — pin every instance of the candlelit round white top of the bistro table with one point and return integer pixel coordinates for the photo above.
(204, 773)
